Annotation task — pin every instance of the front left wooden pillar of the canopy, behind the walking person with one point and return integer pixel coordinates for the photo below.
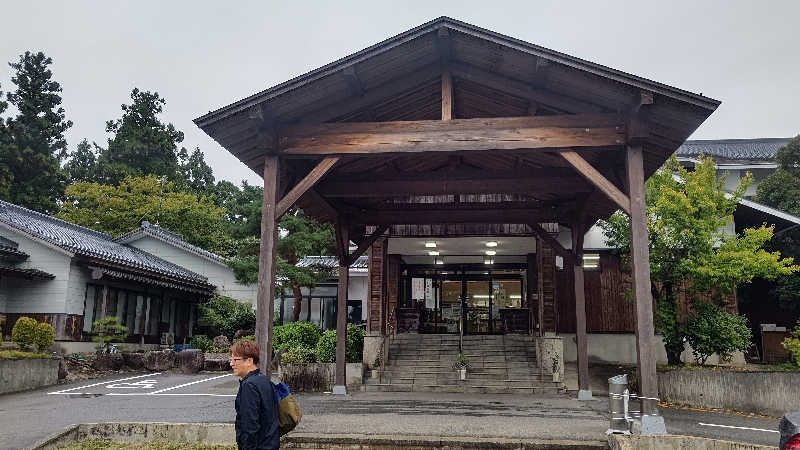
(266, 265)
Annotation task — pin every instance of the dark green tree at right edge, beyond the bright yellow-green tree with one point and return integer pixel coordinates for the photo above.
(781, 190)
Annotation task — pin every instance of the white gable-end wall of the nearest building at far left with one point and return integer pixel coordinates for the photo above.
(36, 296)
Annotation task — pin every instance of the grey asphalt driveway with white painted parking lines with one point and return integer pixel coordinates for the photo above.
(167, 397)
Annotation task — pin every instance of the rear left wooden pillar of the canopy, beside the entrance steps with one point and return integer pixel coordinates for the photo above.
(343, 239)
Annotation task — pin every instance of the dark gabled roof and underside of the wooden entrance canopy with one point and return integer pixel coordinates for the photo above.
(494, 76)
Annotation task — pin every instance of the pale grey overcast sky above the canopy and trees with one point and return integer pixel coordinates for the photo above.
(201, 55)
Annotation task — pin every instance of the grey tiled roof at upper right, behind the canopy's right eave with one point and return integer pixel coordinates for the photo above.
(764, 149)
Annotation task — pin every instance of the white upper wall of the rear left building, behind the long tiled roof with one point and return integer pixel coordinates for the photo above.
(218, 274)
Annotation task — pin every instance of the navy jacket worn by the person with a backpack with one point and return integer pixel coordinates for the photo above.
(256, 413)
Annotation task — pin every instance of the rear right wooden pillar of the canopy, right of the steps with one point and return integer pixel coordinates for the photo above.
(584, 393)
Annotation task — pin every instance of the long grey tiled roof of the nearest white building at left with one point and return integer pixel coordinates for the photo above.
(89, 243)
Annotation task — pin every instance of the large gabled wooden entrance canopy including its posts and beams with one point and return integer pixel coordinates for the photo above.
(448, 123)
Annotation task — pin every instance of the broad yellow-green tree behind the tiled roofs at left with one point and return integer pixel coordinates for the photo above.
(118, 209)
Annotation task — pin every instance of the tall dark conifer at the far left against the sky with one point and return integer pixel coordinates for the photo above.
(35, 145)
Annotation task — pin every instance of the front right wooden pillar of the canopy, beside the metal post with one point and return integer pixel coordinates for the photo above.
(640, 261)
